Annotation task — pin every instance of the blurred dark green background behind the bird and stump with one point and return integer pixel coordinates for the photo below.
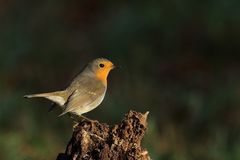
(179, 60)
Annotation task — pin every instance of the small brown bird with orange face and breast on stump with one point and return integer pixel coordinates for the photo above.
(86, 91)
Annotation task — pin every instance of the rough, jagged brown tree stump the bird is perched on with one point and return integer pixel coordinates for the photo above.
(97, 141)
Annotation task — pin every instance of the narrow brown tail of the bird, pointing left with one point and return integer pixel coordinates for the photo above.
(59, 97)
